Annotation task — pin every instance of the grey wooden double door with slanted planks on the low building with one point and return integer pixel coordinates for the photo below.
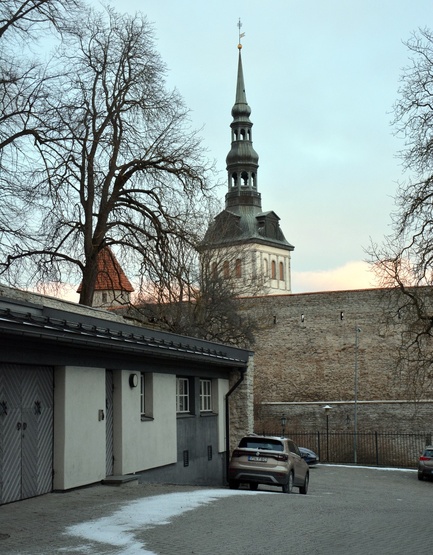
(26, 431)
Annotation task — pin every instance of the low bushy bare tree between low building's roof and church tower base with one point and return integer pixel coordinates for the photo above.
(206, 296)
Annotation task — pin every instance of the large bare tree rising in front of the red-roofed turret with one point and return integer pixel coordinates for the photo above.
(119, 165)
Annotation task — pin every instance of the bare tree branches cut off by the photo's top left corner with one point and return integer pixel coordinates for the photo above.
(23, 84)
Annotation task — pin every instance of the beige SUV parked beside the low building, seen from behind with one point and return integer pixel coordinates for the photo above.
(268, 460)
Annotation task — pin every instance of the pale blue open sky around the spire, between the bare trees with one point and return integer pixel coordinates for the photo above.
(321, 78)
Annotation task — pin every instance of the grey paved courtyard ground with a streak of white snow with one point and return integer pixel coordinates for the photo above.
(347, 510)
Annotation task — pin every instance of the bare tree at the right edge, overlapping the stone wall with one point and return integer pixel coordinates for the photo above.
(403, 262)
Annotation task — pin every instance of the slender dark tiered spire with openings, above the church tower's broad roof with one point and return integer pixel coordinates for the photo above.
(242, 160)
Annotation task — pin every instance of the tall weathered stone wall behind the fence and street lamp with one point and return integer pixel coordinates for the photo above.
(307, 351)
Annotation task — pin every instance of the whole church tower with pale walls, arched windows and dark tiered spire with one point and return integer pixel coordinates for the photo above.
(244, 243)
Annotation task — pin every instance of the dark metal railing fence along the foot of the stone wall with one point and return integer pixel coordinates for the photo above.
(391, 449)
